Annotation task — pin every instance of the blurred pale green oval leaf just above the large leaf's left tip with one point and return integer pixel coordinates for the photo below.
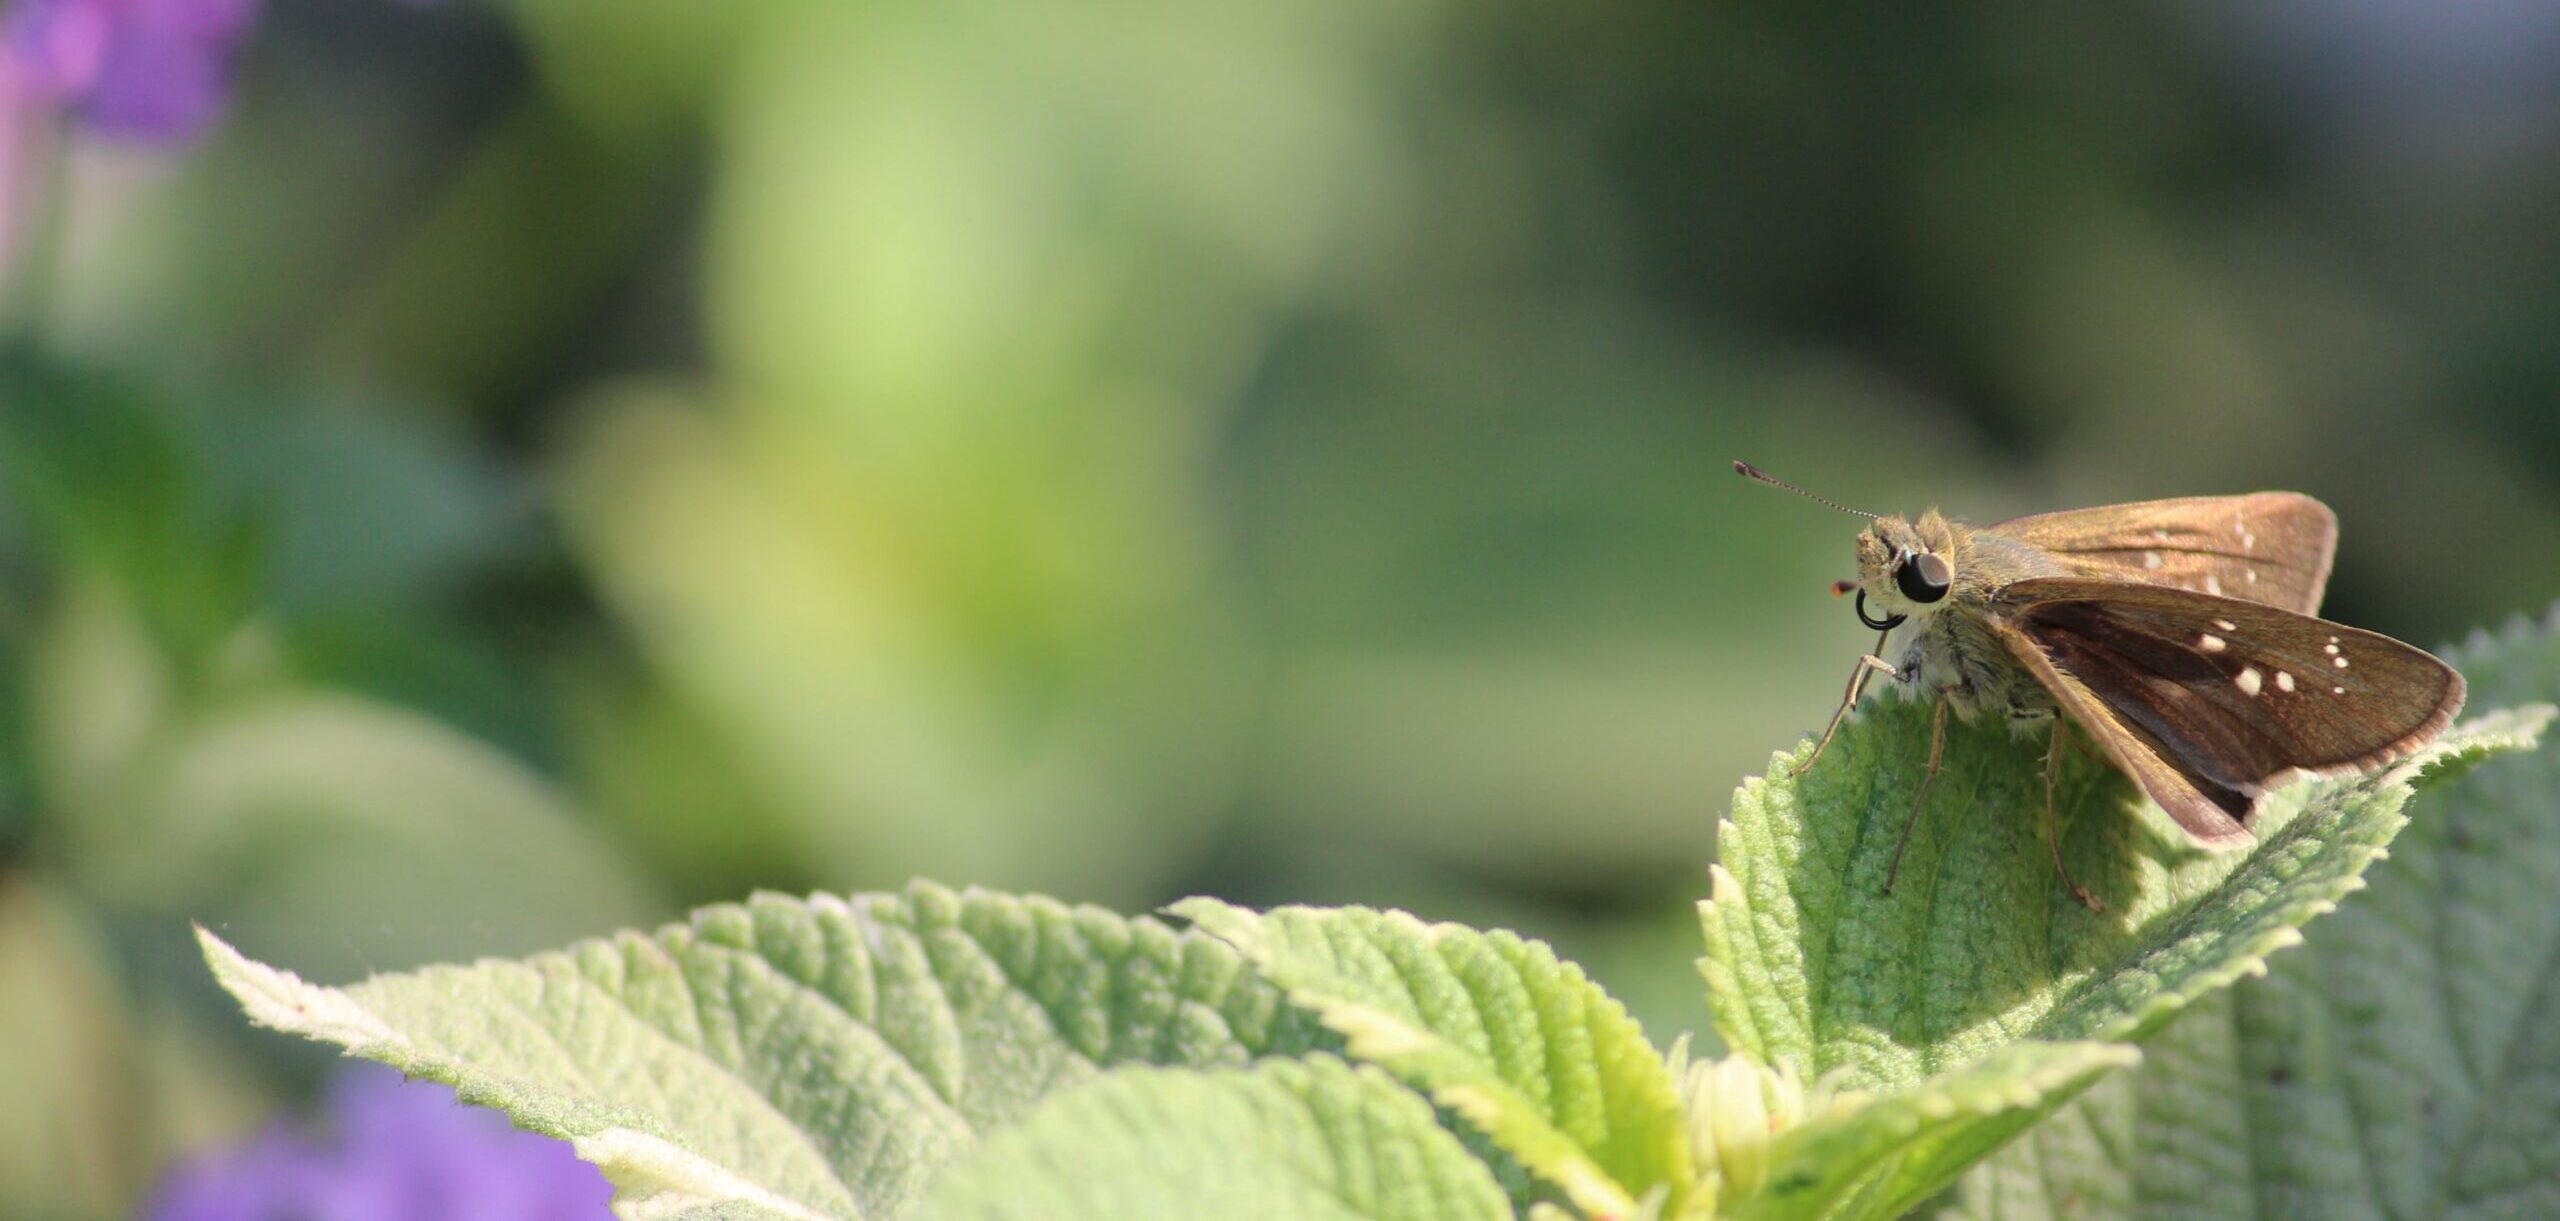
(308, 820)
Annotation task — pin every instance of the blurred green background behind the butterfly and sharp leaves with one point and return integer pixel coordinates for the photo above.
(536, 467)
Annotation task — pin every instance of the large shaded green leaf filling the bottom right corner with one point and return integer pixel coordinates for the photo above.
(2403, 1064)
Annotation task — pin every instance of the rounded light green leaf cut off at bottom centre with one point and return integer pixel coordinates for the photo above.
(1286, 1140)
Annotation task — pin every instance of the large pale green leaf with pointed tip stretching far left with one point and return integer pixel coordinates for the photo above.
(808, 1058)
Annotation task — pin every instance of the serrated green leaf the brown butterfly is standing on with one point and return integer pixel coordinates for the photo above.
(1980, 946)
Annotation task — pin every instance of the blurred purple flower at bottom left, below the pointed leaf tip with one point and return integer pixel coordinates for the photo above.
(403, 1151)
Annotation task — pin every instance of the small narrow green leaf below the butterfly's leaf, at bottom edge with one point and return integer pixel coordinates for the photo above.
(1885, 1156)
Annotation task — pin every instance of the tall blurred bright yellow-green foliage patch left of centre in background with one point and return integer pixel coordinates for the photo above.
(931, 554)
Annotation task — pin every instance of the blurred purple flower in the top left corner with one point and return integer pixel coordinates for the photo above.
(150, 70)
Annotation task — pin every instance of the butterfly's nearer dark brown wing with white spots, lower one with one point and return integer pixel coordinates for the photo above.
(2208, 703)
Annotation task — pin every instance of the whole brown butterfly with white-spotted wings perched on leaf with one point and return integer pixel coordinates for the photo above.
(2180, 636)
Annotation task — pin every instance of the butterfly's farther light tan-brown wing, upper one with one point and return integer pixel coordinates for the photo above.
(2267, 547)
